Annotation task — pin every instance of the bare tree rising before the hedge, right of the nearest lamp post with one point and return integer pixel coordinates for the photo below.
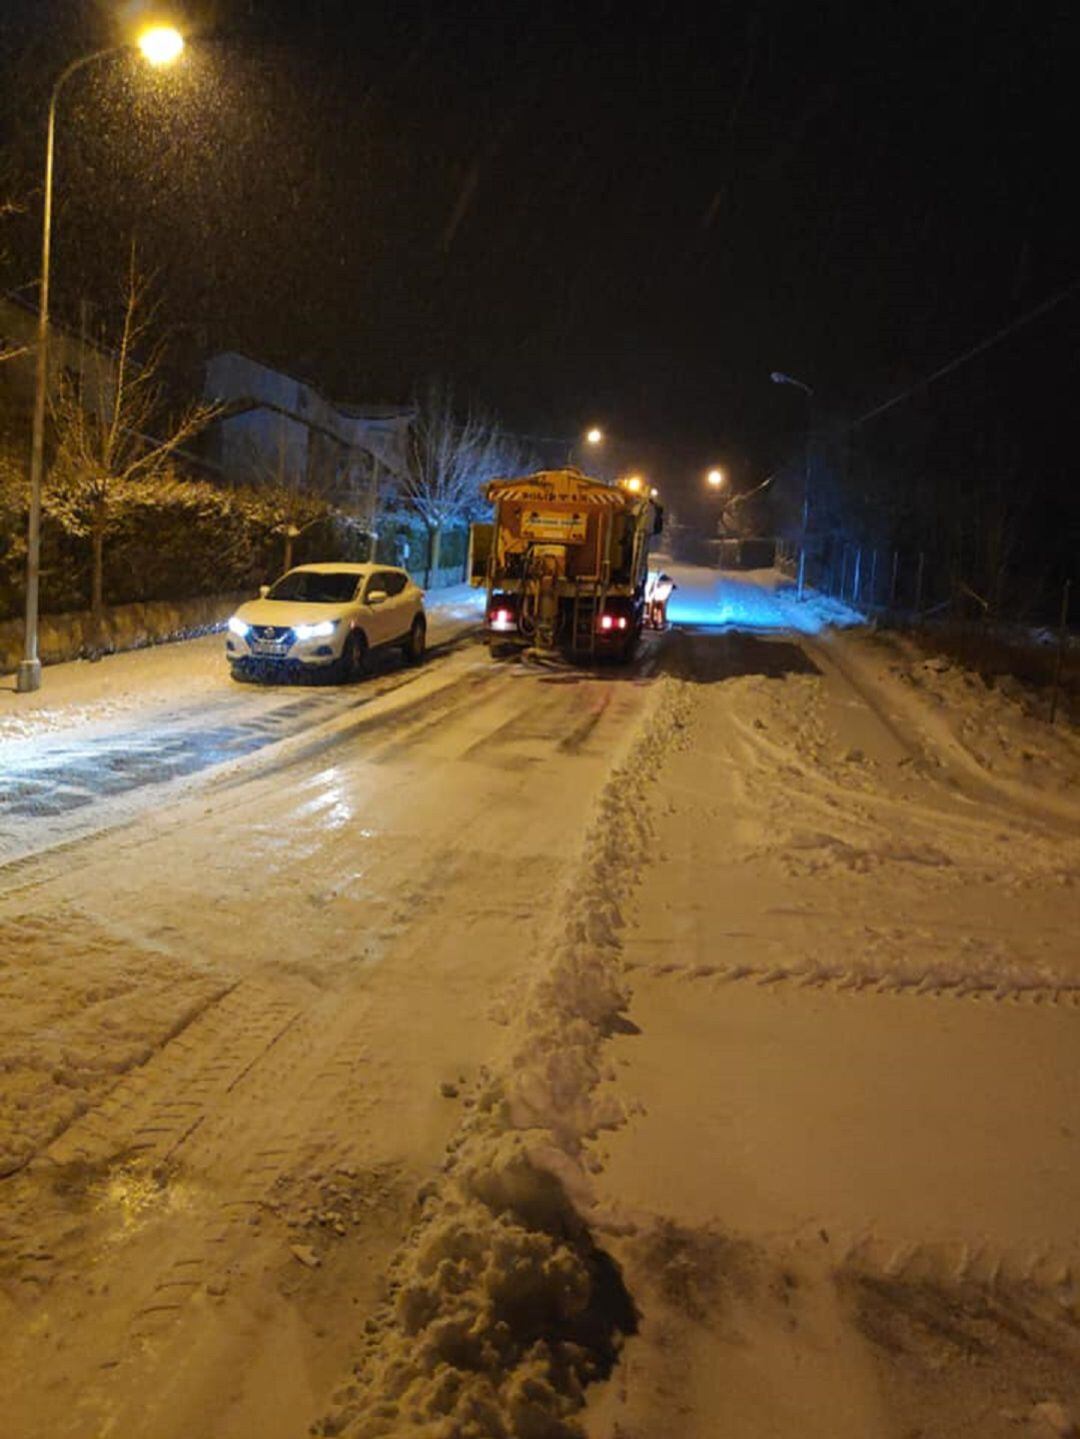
(113, 432)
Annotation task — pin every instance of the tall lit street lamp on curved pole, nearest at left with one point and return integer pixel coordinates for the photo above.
(160, 45)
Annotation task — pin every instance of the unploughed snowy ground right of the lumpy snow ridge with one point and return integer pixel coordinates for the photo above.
(846, 1198)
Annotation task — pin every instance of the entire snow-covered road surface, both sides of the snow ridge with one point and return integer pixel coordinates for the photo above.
(339, 1070)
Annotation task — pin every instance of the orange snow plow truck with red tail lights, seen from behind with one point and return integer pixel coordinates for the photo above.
(564, 562)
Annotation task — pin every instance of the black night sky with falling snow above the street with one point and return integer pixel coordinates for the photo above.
(590, 212)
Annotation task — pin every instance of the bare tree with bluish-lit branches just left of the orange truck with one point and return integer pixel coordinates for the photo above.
(448, 461)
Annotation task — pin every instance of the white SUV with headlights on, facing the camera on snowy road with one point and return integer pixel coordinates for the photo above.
(327, 617)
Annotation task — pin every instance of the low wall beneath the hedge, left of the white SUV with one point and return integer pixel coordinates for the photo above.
(127, 627)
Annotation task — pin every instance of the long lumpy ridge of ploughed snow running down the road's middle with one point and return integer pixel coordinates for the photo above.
(501, 1306)
